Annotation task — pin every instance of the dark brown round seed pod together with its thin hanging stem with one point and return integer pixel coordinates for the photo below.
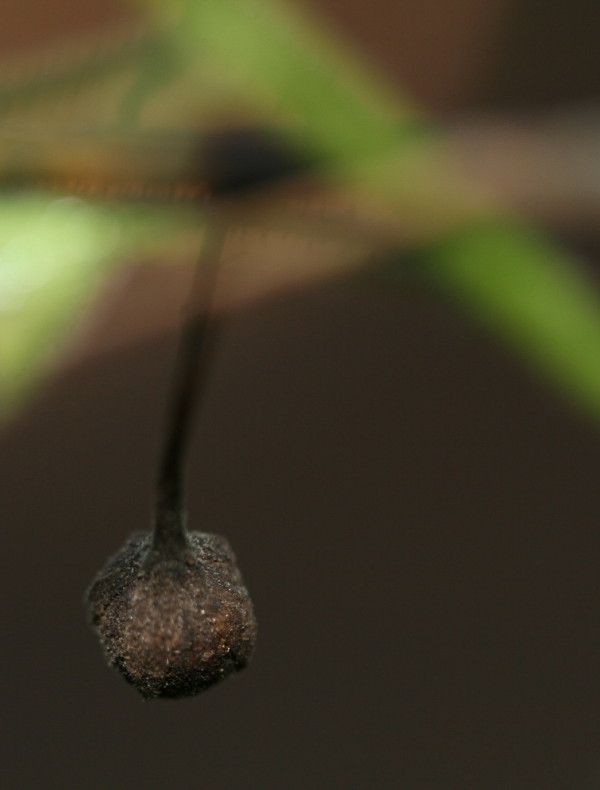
(171, 609)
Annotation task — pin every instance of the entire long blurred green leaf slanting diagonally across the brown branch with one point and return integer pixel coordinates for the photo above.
(531, 292)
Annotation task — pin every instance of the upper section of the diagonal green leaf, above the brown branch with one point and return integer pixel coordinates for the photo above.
(294, 71)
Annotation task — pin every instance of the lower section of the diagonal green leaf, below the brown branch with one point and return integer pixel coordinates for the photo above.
(532, 294)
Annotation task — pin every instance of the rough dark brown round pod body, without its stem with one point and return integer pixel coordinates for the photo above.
(173, 627)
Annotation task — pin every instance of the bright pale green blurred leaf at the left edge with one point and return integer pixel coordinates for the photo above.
(54, 256)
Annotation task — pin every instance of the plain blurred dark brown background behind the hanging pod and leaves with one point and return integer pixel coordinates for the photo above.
(415, 513)
